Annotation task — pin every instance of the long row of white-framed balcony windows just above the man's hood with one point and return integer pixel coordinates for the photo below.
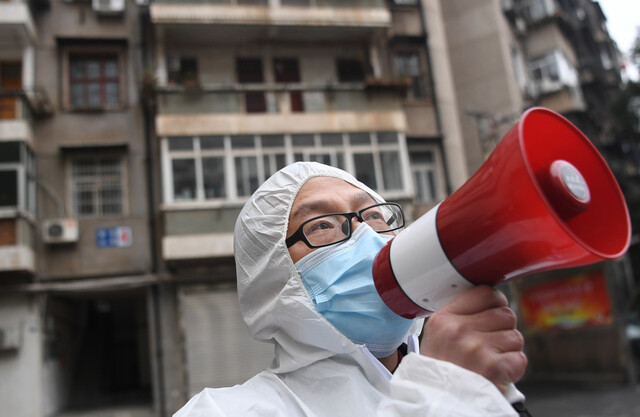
(229, 168)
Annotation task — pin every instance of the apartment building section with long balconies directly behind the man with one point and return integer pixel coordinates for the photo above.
(241, 90)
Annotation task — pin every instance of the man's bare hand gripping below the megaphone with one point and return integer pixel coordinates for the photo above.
(477, 331)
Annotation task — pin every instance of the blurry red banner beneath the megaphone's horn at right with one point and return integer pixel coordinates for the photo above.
(569, 303)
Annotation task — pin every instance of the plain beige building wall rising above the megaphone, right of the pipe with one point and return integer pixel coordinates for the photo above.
(480, 43)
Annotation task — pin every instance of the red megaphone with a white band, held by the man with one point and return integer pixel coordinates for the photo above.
(544, 199)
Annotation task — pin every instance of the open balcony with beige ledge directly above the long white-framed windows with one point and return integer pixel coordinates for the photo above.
(262, 108)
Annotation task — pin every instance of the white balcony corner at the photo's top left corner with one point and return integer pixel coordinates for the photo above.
(16, 25)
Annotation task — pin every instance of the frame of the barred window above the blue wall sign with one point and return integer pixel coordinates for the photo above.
(124, 184)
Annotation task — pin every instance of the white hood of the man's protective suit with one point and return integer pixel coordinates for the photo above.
(274, 303)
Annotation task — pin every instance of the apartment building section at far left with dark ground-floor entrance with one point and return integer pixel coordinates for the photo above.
(75, 308)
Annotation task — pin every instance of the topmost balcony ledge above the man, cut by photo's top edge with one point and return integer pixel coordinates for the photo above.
(296, 20)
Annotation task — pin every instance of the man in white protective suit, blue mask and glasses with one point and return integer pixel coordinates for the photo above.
(304, 245)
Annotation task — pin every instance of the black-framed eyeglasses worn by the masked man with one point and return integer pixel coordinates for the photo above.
(333, 228)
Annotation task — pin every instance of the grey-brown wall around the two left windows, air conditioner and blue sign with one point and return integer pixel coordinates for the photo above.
(69, 27)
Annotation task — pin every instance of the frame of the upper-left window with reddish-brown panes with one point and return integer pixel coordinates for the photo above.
(119, 51)
